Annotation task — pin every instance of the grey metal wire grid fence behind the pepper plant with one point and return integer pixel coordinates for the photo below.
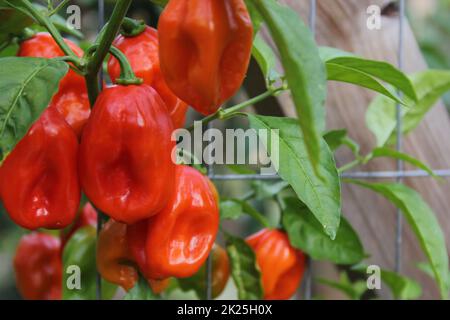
(399, 174)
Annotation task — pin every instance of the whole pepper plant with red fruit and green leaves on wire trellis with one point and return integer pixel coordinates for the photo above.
(69, 140)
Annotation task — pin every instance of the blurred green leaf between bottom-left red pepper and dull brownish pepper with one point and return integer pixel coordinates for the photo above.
(80, 252)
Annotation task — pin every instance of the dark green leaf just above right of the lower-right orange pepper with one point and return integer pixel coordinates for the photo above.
(306, 234)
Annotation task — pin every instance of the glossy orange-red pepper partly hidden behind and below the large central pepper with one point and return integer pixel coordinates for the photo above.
(177, 241)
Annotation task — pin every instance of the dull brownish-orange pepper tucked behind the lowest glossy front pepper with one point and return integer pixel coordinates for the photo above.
(116, 263)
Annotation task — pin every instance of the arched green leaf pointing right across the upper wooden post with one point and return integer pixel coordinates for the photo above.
(346, 67)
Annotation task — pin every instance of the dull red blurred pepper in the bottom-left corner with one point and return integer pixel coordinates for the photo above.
(38, 267)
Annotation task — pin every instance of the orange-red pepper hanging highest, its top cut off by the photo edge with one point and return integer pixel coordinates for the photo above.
(205, 48)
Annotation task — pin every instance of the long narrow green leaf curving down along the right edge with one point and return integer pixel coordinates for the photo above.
(423, 222)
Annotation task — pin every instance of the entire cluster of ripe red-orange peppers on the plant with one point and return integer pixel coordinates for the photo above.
(164, 217)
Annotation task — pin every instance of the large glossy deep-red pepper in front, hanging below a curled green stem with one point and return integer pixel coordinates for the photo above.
(125, 161)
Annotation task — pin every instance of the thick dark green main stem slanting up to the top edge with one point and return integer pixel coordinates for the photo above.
(107, 37)
